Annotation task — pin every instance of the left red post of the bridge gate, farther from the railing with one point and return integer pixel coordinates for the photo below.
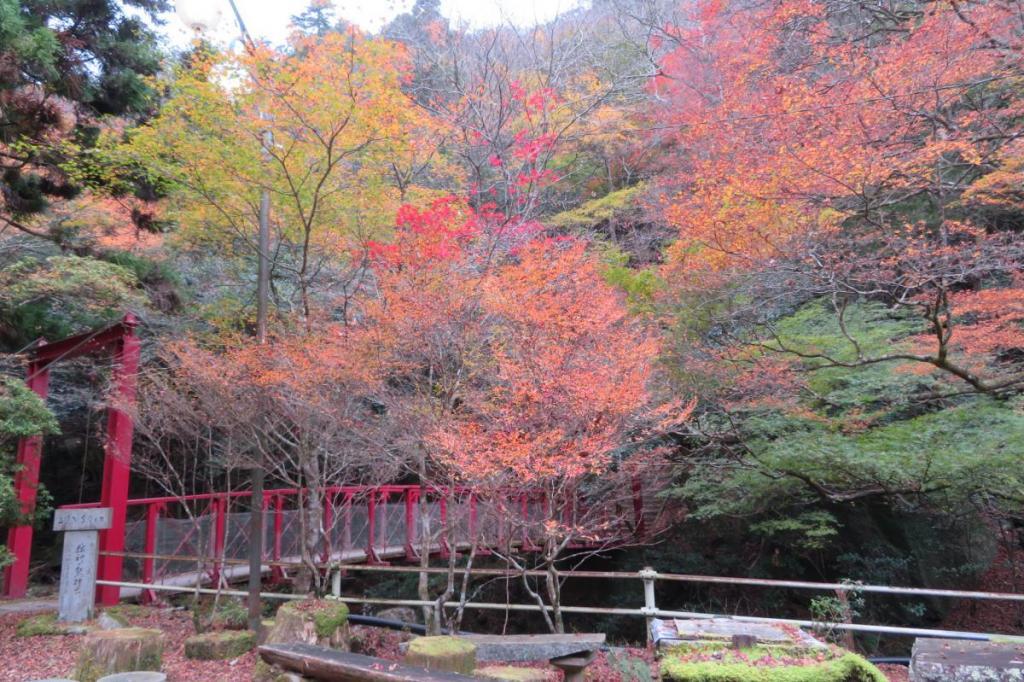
(26, 486)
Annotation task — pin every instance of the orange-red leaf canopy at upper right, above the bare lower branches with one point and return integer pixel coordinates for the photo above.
(794, 122)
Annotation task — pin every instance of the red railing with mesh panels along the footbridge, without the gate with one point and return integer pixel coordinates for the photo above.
(182, 540)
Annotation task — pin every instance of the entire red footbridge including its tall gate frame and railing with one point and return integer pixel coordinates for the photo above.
(200, 538)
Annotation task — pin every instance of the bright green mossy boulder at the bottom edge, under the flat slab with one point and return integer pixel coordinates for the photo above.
(756, 665)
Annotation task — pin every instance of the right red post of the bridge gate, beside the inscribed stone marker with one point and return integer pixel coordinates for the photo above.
(117, 463)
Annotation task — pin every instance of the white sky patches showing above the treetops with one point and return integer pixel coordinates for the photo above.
(269, 19)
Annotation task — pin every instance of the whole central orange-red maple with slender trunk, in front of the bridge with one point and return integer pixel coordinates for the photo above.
(513, 365)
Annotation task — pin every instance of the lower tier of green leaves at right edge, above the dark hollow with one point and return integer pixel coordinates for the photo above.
(913, 455)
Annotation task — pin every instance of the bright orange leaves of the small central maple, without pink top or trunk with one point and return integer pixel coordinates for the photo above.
(570, 371)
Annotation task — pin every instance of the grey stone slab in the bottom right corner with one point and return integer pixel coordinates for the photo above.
(961, 661)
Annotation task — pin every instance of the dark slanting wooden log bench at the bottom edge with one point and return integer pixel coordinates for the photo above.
(334, 666)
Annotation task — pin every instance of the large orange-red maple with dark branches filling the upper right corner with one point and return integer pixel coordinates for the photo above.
(854, 152)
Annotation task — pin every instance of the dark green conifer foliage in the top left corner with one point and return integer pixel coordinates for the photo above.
(64, 64)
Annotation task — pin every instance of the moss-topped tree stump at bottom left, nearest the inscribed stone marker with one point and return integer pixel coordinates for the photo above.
(123, 651)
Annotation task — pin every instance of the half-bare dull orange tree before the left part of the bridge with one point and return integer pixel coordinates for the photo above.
(301, 408)
